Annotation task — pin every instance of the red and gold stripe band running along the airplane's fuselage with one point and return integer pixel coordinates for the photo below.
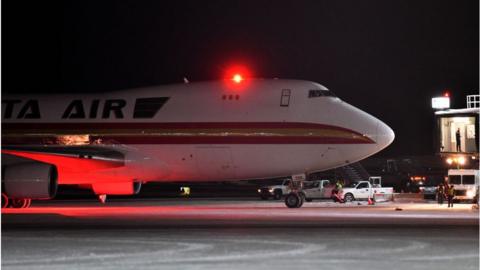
(41, 133)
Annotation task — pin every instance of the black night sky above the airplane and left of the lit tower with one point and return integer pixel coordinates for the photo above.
(385, 57)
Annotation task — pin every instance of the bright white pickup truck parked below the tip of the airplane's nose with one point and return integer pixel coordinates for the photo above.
(363, 190)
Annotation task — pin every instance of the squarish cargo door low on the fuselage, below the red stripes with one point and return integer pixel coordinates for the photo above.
(215, 162)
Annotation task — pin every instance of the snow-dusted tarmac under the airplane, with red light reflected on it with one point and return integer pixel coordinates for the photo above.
(239, 234)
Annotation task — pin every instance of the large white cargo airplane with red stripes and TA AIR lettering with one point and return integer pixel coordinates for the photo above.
(221, 130)
